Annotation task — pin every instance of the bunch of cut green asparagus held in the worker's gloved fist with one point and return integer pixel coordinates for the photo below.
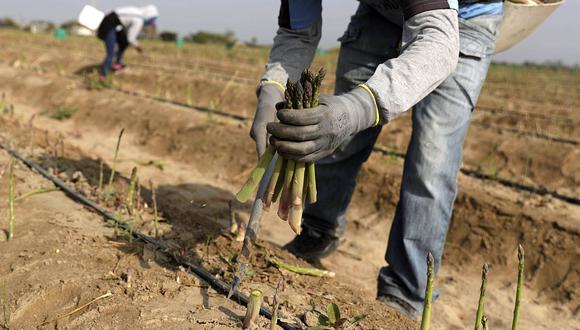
(291, 182)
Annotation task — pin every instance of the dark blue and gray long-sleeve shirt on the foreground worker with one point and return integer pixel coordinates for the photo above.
(429, 52)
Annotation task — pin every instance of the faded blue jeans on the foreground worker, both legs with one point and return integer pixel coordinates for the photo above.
(440, 123)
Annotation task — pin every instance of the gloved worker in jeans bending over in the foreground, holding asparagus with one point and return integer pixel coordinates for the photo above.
(429, 55)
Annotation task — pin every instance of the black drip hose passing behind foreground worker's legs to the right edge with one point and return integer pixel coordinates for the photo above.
(505, 182)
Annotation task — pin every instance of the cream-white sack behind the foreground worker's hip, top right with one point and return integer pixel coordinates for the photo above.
(520, 20)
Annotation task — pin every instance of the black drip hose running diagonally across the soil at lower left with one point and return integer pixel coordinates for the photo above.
(198, 270)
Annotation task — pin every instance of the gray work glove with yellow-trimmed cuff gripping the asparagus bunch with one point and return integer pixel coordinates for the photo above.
(312, 134)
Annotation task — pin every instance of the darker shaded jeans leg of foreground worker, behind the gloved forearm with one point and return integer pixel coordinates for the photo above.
(369, 41)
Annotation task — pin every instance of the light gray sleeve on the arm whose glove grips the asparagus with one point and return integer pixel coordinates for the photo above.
(430, 51)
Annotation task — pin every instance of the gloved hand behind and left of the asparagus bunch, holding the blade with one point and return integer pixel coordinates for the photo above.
(269, 95)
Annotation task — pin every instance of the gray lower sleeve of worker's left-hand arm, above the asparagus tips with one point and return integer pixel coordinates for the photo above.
(292, 52)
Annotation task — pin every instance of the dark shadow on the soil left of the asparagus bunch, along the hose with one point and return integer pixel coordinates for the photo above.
(192, 216)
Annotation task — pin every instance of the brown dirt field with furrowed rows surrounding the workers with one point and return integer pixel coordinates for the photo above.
(524, 132)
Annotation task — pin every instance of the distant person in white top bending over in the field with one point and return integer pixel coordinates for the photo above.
(121, 27)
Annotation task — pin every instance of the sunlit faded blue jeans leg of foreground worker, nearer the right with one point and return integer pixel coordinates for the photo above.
(429, 187)
